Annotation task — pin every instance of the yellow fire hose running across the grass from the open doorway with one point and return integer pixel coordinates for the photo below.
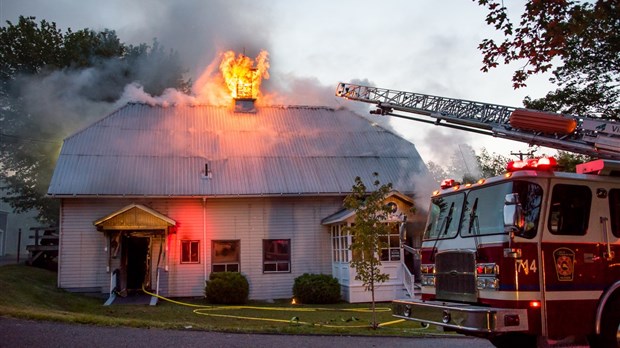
(207, 311)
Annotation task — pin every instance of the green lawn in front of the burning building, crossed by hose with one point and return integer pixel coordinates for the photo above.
(31, 293)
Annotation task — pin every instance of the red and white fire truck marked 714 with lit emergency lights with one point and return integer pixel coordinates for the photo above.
(528, 257)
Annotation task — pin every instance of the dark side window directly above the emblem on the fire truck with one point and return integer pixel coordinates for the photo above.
(570, 210)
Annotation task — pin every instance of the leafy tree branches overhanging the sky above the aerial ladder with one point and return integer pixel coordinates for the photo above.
(578, 42)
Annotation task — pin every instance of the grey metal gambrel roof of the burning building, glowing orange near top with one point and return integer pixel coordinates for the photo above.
(142, 150)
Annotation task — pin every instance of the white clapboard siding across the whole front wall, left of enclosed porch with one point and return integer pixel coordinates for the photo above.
(84, 258)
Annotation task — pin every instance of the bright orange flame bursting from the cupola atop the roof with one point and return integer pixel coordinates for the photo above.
(242, 75)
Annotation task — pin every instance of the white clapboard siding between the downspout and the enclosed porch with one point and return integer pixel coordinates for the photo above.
(252, 220)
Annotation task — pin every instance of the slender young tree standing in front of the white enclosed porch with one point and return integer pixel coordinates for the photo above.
(370, 215)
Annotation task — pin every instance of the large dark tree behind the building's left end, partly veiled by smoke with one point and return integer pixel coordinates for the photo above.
(48, 82)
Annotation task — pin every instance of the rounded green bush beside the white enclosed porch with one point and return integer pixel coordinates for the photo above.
(316, 288)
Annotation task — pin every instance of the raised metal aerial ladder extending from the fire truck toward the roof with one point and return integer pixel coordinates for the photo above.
(584, 135)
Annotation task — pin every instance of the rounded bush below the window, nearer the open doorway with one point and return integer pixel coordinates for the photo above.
(227, 288)
